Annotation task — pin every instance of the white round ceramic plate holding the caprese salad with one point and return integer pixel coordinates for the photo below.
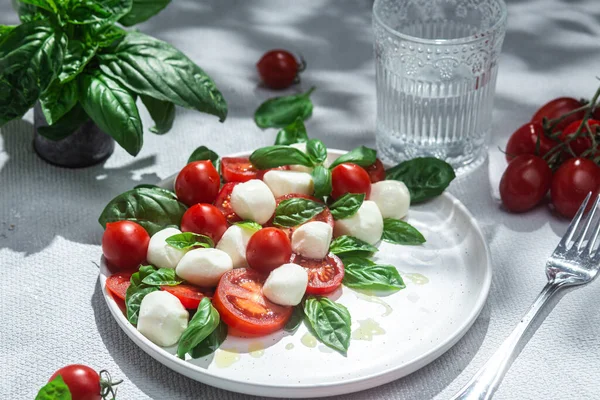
(447, 279)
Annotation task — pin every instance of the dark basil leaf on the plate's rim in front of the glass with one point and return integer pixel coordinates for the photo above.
(425, 177)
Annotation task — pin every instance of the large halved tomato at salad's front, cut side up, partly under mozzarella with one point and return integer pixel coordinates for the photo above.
(243, 307)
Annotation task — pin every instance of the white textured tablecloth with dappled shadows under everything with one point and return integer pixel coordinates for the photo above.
(51, 309)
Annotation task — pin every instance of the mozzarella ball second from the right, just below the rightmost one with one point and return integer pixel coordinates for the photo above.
(366, 224)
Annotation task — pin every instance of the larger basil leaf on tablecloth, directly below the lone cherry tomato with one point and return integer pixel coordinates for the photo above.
(279, 112)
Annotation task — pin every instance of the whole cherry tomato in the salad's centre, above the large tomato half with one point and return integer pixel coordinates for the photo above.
(268, 249)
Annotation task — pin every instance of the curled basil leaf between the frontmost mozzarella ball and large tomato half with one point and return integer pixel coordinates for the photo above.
(202, 324)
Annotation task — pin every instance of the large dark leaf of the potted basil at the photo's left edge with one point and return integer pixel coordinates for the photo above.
(30, 59)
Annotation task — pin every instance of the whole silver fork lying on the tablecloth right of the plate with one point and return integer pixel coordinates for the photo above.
(575, 262)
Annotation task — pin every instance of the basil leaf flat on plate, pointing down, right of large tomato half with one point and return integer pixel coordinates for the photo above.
(330, 322)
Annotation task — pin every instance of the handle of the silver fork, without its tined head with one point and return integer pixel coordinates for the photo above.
(485, 382)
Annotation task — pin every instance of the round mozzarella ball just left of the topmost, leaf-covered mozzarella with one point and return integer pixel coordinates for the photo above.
(253, 200)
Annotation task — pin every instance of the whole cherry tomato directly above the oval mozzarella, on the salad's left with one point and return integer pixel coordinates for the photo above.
(205, 219)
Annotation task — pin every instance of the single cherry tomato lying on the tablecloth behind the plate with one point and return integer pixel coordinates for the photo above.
(278, 69)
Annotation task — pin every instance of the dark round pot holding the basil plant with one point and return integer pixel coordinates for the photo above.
(86, 146)
